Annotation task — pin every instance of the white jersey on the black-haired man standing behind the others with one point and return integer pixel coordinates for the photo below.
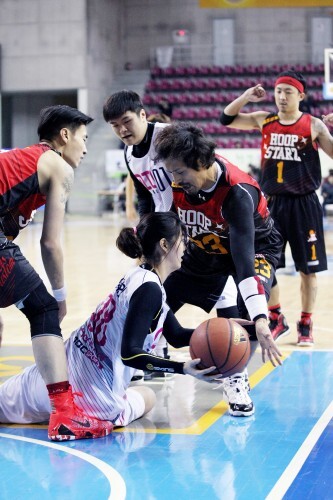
(152, 175)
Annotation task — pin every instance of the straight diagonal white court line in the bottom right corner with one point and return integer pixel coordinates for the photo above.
(282, 485)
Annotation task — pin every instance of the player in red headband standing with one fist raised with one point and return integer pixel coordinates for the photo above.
(291, 174)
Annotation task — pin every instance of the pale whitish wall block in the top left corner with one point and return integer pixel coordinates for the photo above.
(44, 44)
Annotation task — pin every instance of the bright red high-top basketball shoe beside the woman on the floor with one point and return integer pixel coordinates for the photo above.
(68, 422)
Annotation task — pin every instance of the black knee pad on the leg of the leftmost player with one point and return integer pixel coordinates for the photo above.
(42, 311)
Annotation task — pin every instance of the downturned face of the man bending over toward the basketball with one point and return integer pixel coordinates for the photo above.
(189, 179)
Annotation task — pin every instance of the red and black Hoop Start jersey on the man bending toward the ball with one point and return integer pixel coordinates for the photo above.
(203, 213)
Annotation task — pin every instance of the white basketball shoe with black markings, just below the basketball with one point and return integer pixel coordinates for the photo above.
(236, 388)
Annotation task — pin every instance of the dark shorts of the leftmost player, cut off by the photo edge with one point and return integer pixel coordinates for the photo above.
(17, 277)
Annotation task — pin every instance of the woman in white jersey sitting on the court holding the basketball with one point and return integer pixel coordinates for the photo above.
(118, 338)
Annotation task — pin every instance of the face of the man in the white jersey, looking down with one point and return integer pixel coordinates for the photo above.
(130, 127)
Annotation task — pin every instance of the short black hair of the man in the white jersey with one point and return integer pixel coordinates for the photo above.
(121, 102)
